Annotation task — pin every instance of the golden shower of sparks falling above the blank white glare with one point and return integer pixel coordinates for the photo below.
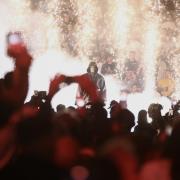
(89, 29)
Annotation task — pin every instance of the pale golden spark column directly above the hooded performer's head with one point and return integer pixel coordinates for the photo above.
(86, 27)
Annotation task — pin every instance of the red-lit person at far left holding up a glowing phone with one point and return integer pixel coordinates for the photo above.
(14, 86)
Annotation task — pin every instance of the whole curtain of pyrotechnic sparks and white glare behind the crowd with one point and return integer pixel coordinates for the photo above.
(65, 35)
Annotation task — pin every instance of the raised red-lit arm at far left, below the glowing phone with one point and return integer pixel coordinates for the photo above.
(19, 87)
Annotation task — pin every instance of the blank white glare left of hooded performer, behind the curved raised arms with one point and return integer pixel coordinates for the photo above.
(47, 66)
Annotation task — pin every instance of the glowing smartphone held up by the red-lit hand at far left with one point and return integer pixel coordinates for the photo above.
(14, 38)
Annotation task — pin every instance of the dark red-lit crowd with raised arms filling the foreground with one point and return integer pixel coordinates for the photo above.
(81, 143)
